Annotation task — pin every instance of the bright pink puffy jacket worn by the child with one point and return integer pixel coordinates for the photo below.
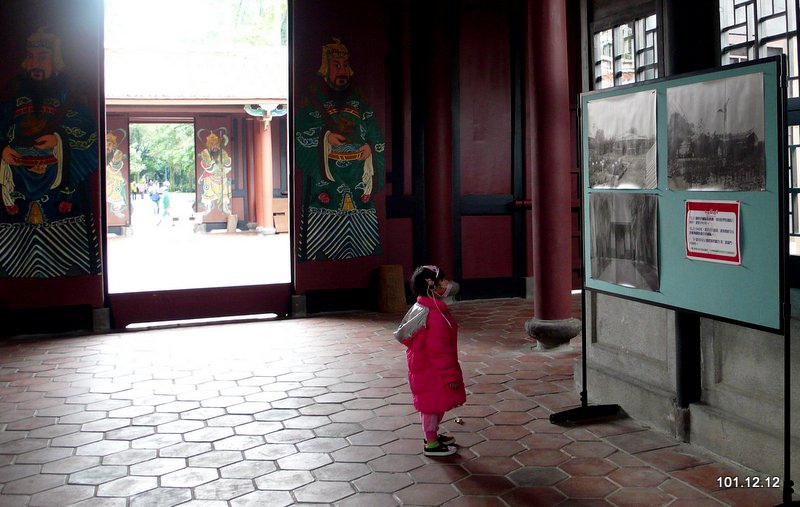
(433, 361)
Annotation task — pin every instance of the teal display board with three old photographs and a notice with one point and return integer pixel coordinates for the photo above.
(683, 197)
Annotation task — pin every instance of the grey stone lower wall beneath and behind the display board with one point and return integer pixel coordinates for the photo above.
(631, 362)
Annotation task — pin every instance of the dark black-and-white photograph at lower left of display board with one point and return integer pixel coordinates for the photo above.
(624, 239)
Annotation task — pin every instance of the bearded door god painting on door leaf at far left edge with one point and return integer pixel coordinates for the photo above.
(48, 140)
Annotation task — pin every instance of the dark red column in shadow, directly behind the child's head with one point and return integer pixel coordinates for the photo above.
(438, 142)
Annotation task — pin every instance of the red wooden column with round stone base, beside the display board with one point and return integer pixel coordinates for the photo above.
(548, 159)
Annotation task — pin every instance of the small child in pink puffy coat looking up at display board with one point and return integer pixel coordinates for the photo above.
(431, 334)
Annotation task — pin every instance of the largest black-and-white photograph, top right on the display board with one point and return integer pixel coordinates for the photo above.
(715, 135)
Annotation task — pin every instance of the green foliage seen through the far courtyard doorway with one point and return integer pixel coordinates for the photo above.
(160, 151)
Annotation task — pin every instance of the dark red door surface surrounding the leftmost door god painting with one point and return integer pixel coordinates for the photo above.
(80, 26)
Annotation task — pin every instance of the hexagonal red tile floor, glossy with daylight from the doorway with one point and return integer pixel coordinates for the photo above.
(317, 411)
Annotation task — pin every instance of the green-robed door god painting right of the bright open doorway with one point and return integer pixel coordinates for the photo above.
(340, 154)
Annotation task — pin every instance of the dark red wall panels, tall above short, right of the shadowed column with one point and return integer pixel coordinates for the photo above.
(485, 87)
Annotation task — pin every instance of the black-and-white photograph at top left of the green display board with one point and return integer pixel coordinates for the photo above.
(622, 141)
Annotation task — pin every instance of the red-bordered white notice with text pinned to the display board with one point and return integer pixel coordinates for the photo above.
(712, 231)
